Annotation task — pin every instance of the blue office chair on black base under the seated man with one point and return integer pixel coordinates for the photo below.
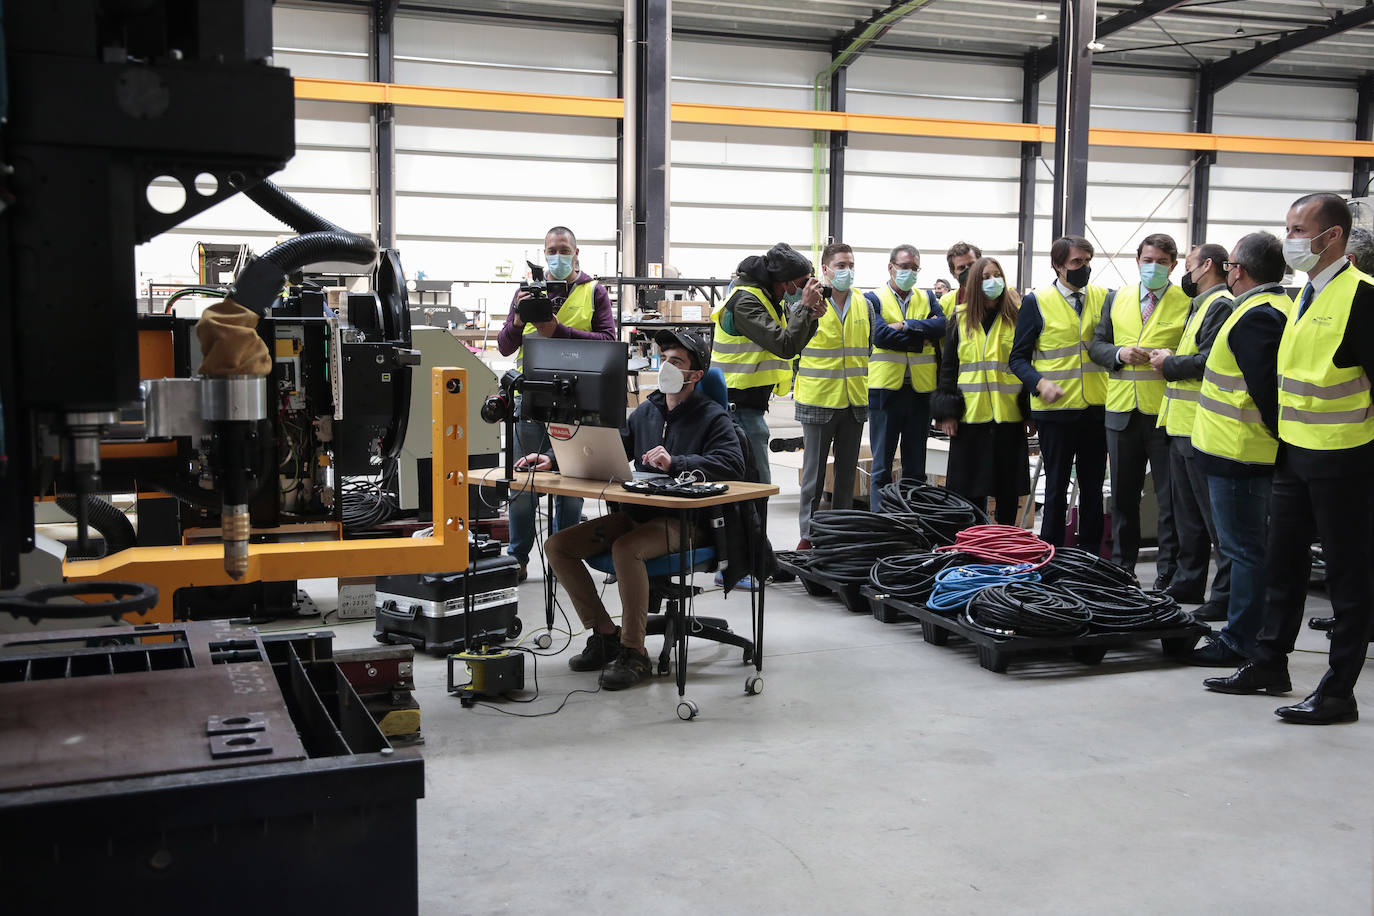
(664, 590)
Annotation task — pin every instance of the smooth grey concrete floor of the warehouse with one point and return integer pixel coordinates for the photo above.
(879, 774)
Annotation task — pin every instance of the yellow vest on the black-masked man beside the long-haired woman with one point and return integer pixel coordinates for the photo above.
(1061, 354)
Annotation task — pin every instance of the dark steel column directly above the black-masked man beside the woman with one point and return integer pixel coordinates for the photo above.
(1072, 115)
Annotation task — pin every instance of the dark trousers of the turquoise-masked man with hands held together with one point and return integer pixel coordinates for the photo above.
(1130, 450)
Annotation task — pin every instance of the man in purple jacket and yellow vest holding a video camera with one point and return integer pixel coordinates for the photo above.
(581, 310)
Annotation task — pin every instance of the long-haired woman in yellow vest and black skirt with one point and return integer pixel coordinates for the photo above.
(979, 403)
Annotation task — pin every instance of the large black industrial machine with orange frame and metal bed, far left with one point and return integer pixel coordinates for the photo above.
(149, 763)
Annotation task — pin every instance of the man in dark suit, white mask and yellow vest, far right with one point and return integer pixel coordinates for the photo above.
(1324, 477)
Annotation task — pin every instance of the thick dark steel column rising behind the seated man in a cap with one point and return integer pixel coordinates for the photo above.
(655, 130)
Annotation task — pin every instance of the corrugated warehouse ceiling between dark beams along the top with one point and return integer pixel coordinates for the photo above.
(1188, 35)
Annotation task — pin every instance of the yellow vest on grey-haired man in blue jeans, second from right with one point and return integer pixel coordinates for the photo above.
(1228, 424)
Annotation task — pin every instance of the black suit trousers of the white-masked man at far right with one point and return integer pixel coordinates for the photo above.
(1338, 510)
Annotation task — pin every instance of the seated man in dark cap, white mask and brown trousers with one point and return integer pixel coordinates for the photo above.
(675, 431)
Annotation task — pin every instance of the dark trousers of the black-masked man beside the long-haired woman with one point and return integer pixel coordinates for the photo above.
(1067, 446)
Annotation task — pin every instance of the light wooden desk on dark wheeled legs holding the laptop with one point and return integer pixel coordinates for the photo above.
(552, 484)
